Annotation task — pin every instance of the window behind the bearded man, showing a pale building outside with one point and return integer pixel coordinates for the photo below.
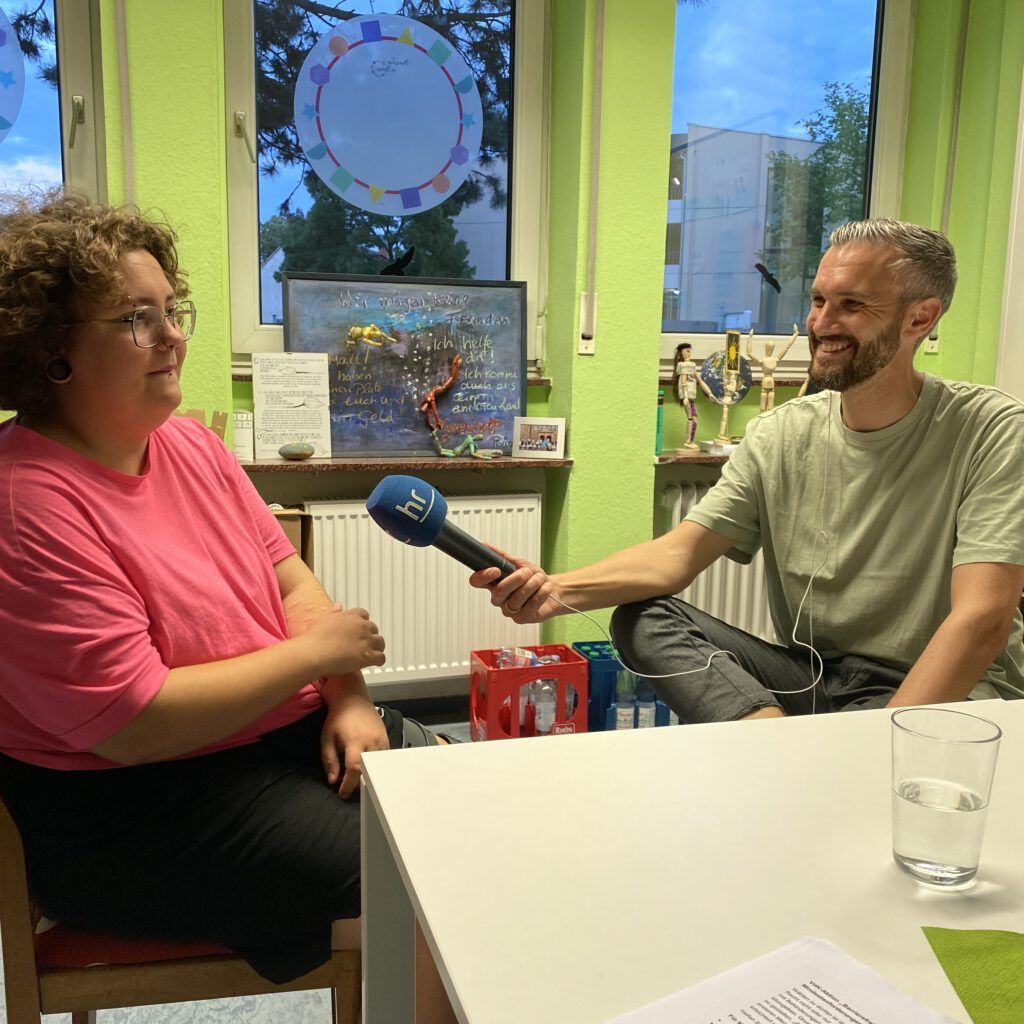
(771, 152)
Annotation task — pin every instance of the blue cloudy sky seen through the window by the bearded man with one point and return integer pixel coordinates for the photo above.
(761, 66)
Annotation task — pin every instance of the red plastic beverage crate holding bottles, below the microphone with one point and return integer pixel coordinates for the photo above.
(492, 718)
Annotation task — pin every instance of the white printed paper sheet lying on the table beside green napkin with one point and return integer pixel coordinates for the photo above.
(809, 982)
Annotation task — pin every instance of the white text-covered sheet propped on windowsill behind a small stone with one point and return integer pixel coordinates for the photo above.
(292, 401)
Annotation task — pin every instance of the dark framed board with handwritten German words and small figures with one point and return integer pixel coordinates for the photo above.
(396, 344)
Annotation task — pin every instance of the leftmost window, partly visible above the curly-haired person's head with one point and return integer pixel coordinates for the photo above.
(51, 116)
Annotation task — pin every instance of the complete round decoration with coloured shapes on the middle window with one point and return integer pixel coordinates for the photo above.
(389, 114)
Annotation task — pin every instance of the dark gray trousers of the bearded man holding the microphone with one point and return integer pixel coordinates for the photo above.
(666, 635)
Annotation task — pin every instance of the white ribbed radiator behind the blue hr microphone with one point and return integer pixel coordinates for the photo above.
(429, 615)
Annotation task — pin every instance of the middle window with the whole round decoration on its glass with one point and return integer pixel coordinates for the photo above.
(319, 185)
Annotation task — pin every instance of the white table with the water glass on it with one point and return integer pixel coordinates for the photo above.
(572, 879)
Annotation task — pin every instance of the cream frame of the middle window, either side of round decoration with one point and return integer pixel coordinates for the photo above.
(528, 194)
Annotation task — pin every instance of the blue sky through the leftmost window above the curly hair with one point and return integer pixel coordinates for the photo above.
(30, 155)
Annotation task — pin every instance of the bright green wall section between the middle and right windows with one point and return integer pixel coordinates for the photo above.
(611, 398)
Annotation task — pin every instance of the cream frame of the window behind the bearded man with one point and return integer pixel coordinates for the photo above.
(886, 179)
